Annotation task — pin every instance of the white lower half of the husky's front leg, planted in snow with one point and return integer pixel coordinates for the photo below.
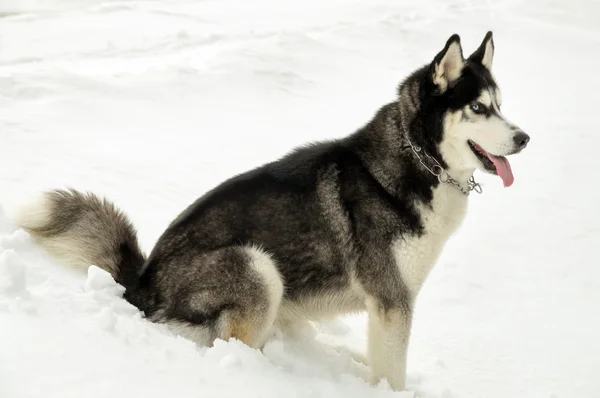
(389, 333)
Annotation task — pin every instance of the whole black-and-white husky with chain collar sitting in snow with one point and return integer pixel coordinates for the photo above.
(349, 225)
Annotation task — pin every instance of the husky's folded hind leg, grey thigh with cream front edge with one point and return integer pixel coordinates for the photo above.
(233, 292)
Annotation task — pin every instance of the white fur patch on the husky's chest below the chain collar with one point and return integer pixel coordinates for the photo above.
(415, 255)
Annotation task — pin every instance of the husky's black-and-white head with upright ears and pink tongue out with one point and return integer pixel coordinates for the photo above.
(463, 97)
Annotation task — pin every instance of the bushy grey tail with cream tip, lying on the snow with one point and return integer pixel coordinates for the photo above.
(82, 230)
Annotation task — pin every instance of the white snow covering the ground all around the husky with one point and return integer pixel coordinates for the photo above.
(154, 102)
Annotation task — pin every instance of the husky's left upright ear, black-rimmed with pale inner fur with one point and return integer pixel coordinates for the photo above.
(448, 64)
